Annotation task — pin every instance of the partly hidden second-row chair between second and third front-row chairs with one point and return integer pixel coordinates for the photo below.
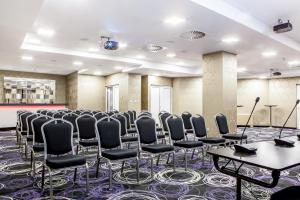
(125, 136)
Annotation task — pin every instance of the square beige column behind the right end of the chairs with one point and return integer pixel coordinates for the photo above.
(219, 89)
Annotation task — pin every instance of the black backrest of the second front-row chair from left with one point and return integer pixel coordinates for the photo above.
(108, 133)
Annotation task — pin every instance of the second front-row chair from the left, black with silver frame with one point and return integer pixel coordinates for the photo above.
(110, 146)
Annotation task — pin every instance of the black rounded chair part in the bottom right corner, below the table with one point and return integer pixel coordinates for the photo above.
(290, 193)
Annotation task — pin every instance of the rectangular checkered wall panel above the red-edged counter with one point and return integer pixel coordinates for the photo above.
(27, 90)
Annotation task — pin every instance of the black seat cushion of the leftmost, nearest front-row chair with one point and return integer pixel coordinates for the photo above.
(65, 161)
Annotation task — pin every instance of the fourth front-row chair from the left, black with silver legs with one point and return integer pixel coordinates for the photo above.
(178, 137)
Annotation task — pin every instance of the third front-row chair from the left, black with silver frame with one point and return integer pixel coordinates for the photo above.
(147, 140)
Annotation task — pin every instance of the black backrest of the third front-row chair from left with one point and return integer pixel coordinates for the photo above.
(146, 129)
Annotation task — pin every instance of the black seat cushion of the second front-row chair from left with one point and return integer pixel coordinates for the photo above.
(117, 154)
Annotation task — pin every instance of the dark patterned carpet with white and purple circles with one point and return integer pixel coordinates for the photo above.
(200, 181)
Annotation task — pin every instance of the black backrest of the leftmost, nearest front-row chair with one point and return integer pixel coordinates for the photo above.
(58, 137)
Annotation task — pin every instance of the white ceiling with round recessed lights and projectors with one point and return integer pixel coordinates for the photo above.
(78, 25)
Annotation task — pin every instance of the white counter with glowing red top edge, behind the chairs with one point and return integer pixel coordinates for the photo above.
(8, 112)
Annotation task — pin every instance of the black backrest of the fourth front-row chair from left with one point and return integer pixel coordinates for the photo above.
(175, 128)
